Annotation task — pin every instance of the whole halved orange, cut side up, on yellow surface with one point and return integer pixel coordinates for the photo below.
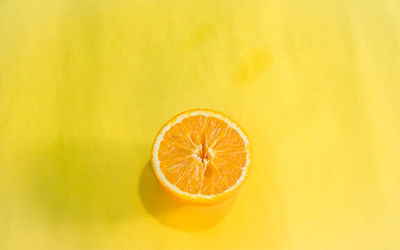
(201, 156)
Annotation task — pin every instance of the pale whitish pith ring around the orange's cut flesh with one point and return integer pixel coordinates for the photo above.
(206, 113)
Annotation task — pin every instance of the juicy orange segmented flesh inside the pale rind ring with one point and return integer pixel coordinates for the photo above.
(202, 155)
